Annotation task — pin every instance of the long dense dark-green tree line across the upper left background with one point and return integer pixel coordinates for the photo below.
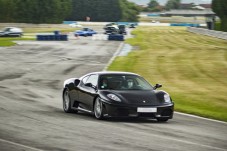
(56, 11)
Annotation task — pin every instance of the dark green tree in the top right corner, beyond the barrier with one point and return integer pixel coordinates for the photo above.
(220, 8)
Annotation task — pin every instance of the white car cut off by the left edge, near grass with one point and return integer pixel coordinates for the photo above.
(11, 32)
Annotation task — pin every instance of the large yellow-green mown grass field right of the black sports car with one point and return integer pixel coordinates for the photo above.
(192, 68)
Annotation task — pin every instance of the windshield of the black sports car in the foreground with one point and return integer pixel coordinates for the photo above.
(123, 82)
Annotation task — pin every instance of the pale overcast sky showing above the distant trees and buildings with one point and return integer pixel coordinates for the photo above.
(162, 2)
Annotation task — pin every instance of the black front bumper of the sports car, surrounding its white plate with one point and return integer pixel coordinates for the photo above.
(163, 111)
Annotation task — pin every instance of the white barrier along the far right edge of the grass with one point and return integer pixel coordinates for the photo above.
(207, 32)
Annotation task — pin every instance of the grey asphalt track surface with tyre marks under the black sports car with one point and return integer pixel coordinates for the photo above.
(32, 119)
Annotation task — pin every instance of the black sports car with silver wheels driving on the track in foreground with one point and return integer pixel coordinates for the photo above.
(116, 94)
